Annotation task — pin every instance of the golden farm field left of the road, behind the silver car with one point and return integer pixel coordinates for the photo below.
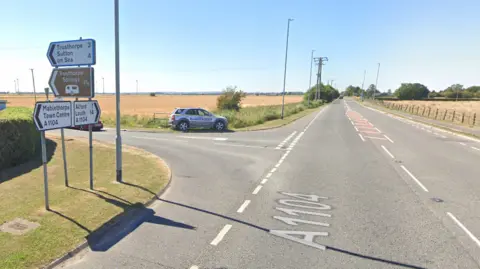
(144, 105)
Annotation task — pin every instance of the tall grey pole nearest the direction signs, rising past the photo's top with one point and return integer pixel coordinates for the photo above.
(118, 139)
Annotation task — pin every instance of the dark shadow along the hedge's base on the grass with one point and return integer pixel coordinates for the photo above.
(18, 170)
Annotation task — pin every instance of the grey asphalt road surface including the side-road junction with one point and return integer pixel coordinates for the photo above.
(348, 187)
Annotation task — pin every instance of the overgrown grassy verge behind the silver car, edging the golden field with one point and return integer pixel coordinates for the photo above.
(245, 117)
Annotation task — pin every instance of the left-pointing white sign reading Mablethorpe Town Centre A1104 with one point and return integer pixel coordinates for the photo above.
(52, 115)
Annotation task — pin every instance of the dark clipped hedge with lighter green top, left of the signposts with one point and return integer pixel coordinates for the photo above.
(19, 139)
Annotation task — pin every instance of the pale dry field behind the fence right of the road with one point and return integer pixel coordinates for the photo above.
(460, 106)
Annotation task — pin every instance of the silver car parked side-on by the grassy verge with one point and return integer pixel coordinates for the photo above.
(186, 118)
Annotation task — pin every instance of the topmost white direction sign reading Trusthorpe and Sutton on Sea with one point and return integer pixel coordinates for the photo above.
(72, 52)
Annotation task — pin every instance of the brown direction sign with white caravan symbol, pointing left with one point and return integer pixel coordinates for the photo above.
(72, 82)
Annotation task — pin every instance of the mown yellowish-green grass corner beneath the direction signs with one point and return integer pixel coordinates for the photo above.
(22, 196)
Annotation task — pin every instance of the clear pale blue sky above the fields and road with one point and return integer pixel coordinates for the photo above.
(206, 45)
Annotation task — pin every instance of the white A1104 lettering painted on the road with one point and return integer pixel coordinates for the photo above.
(302, 204)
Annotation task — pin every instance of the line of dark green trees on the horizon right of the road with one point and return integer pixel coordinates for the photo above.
(416, 91)
